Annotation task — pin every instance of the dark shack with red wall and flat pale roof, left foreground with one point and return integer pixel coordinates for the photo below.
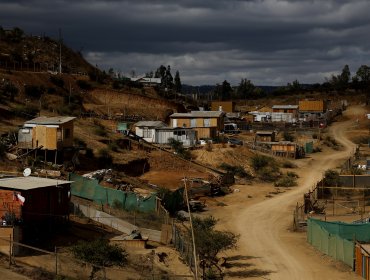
(37, 205)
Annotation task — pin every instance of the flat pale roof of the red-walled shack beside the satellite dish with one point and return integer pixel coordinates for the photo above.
(30, 183)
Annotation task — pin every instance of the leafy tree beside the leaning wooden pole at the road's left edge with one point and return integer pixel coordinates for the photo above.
(210, 242)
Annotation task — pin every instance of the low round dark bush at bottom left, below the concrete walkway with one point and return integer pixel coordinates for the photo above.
(99, 253)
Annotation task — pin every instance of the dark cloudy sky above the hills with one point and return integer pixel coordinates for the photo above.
(270, 42)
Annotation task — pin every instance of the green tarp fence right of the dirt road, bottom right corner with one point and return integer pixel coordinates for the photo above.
(336, 239)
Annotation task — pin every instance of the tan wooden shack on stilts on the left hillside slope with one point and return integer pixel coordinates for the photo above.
(50, 133)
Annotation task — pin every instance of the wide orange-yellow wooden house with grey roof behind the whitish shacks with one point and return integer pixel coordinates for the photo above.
(207, 124)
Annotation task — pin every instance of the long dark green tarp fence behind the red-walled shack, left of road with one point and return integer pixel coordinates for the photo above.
(90, 189)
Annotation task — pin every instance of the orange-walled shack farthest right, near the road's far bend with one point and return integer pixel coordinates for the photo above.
(312, 109)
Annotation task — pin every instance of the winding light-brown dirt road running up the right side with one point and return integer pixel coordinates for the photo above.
(264, 228)
